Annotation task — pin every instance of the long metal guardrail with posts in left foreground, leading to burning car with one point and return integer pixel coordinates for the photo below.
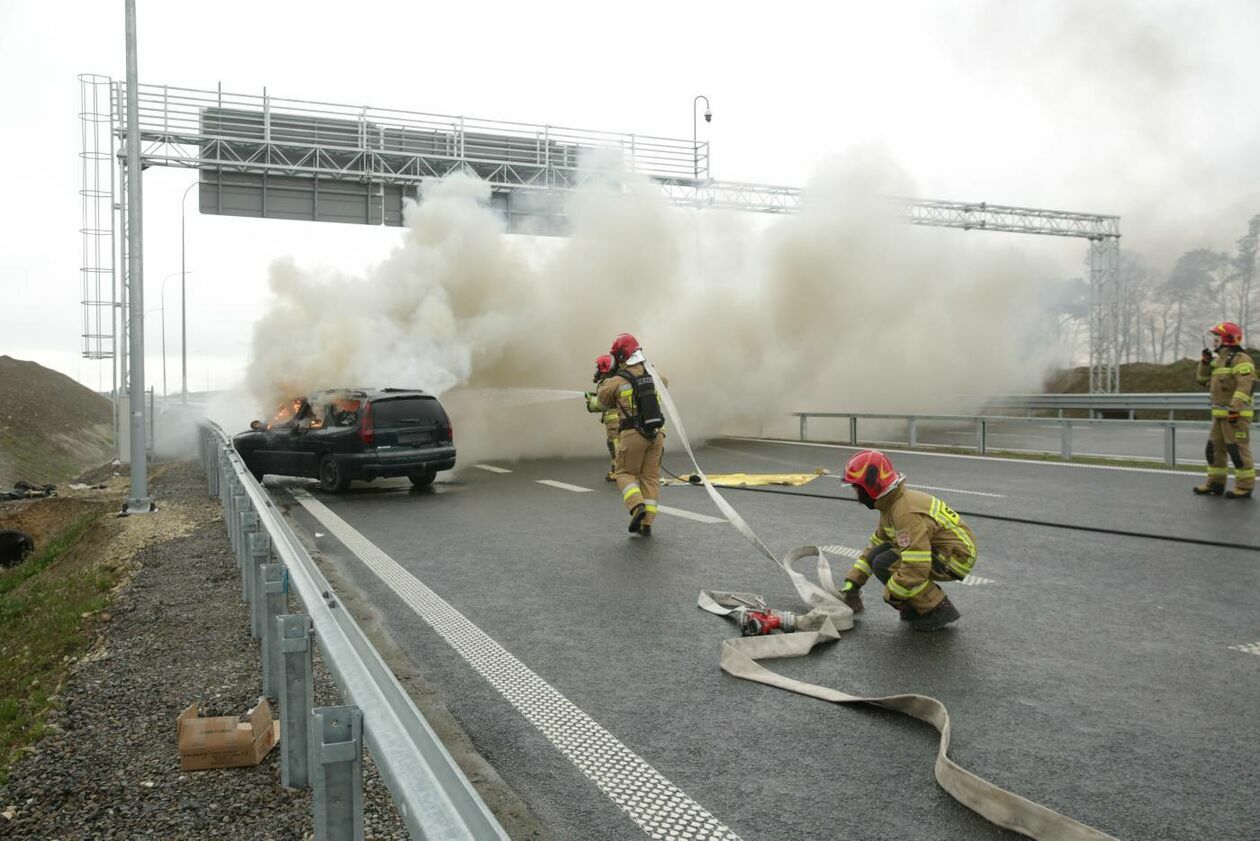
(323, 747)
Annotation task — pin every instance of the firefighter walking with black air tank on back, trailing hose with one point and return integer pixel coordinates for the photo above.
(632, 391)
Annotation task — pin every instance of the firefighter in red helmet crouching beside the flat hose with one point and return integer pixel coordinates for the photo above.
(919, 542)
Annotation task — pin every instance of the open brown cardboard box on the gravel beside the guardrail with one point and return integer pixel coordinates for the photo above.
(226, 741)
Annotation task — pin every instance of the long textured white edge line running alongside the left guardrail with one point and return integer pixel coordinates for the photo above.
(660, 808)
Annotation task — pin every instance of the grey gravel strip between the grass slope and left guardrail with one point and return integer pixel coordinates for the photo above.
(177, 634)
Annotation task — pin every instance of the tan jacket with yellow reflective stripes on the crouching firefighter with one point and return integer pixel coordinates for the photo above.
(920, 528)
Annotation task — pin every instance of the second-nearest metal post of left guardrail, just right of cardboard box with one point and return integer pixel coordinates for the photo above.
(297, 698)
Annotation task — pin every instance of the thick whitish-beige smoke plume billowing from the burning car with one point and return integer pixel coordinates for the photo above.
(839, 308)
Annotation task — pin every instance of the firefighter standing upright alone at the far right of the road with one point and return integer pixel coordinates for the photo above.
(1232, 378)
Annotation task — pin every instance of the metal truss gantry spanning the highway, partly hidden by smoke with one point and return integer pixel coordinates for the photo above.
(275, 158)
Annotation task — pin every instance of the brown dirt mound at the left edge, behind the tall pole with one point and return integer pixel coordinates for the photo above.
(52, 429)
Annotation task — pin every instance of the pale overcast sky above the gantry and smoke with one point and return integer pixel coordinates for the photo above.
(1148, 110)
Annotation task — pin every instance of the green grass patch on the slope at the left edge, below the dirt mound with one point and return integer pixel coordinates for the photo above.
(42, 610)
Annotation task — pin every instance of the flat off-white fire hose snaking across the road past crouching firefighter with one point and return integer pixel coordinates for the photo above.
(827, 618)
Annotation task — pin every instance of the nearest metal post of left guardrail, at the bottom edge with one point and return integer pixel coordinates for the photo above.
(338, 801)
